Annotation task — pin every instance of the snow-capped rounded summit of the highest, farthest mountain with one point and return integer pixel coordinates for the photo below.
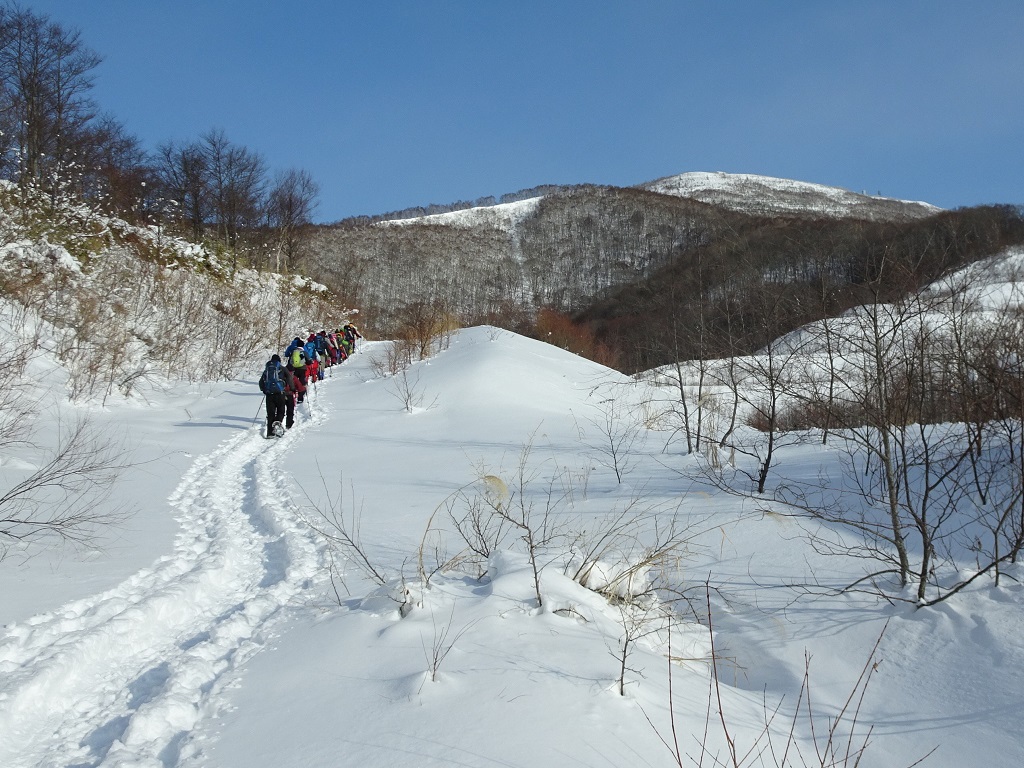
(765, 195)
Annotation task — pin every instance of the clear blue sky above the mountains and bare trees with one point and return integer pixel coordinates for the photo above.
(391, 105)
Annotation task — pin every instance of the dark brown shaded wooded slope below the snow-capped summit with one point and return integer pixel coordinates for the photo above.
(735, 294)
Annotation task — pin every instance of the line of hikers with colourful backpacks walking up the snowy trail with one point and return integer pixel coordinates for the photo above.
(285, 385)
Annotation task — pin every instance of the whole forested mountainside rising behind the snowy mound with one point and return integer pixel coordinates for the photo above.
(637, 278)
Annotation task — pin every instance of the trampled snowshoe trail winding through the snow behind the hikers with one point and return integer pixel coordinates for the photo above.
(121, 679)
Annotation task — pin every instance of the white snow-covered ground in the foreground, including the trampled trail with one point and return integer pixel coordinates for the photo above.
(208, 632)
